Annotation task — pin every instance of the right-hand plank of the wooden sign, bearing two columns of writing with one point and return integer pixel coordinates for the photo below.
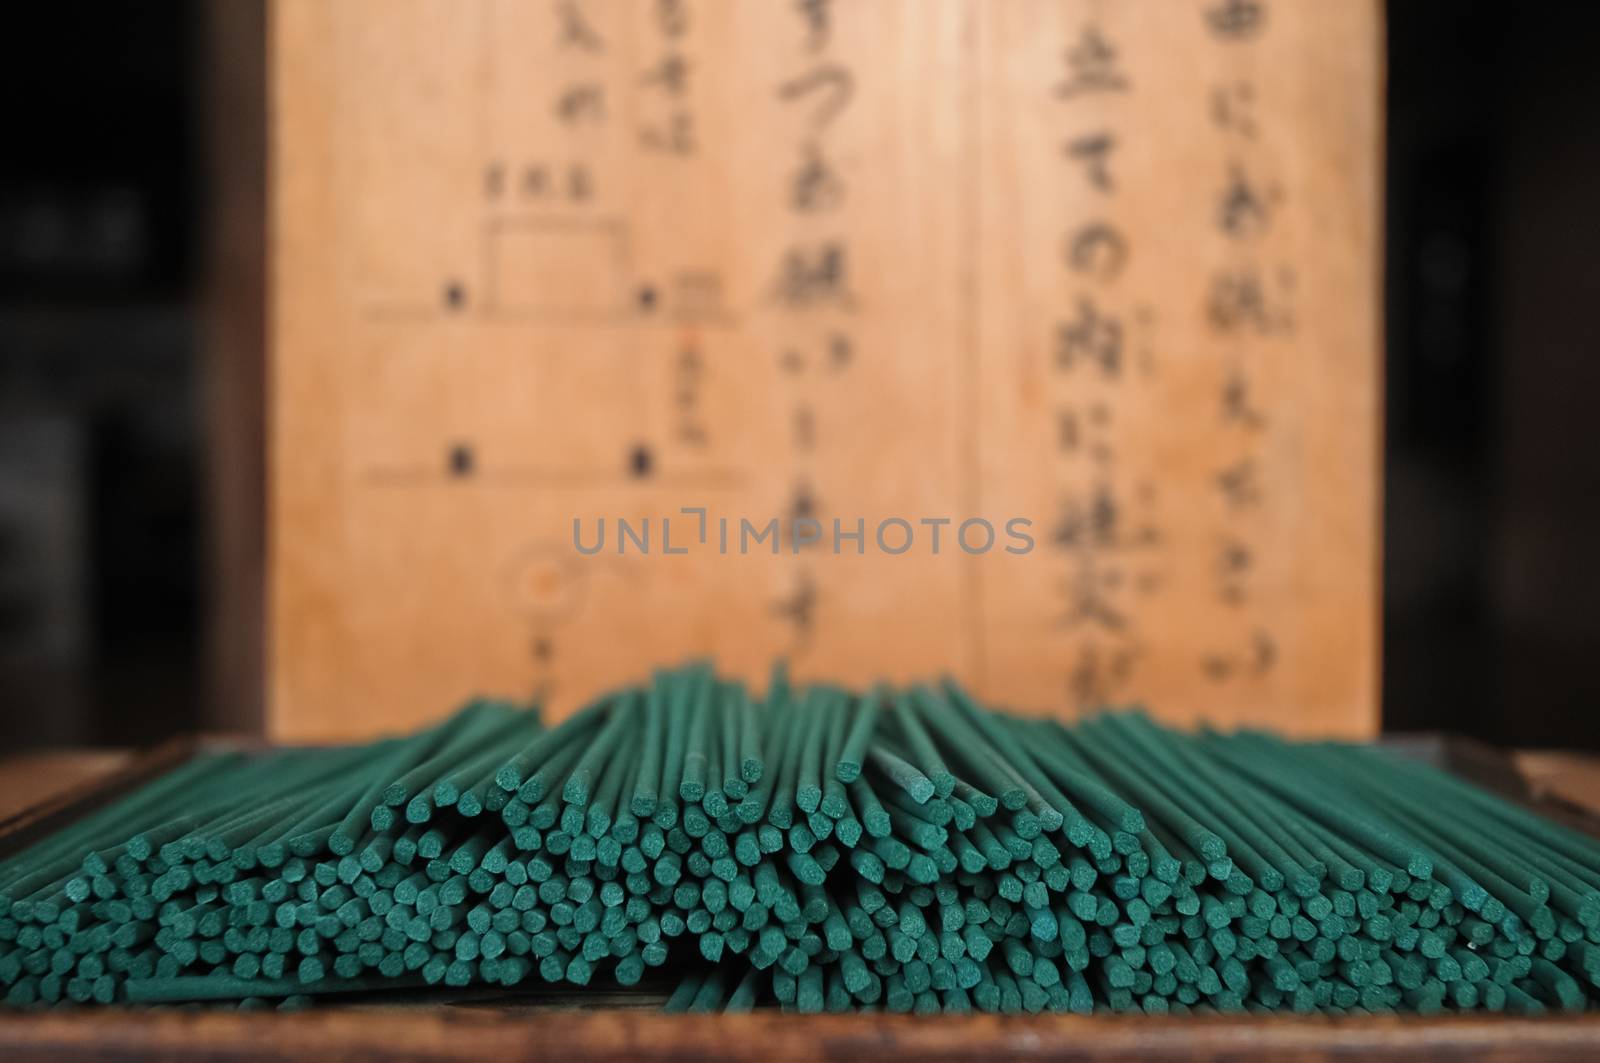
(1206, 604)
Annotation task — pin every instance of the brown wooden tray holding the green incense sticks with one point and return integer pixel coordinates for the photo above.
(574, 1025)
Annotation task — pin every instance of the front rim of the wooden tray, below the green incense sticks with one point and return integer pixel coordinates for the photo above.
(577, 1037)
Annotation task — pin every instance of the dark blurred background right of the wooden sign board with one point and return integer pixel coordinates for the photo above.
(1494, 279)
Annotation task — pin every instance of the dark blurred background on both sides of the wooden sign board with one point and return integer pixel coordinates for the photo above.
(1492, 287)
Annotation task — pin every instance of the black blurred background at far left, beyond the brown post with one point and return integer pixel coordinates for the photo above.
(100, 446)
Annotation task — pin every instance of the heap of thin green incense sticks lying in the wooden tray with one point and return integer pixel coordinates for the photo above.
(814, 849)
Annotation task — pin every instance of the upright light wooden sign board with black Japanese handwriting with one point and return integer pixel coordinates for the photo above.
(1095, 279)
